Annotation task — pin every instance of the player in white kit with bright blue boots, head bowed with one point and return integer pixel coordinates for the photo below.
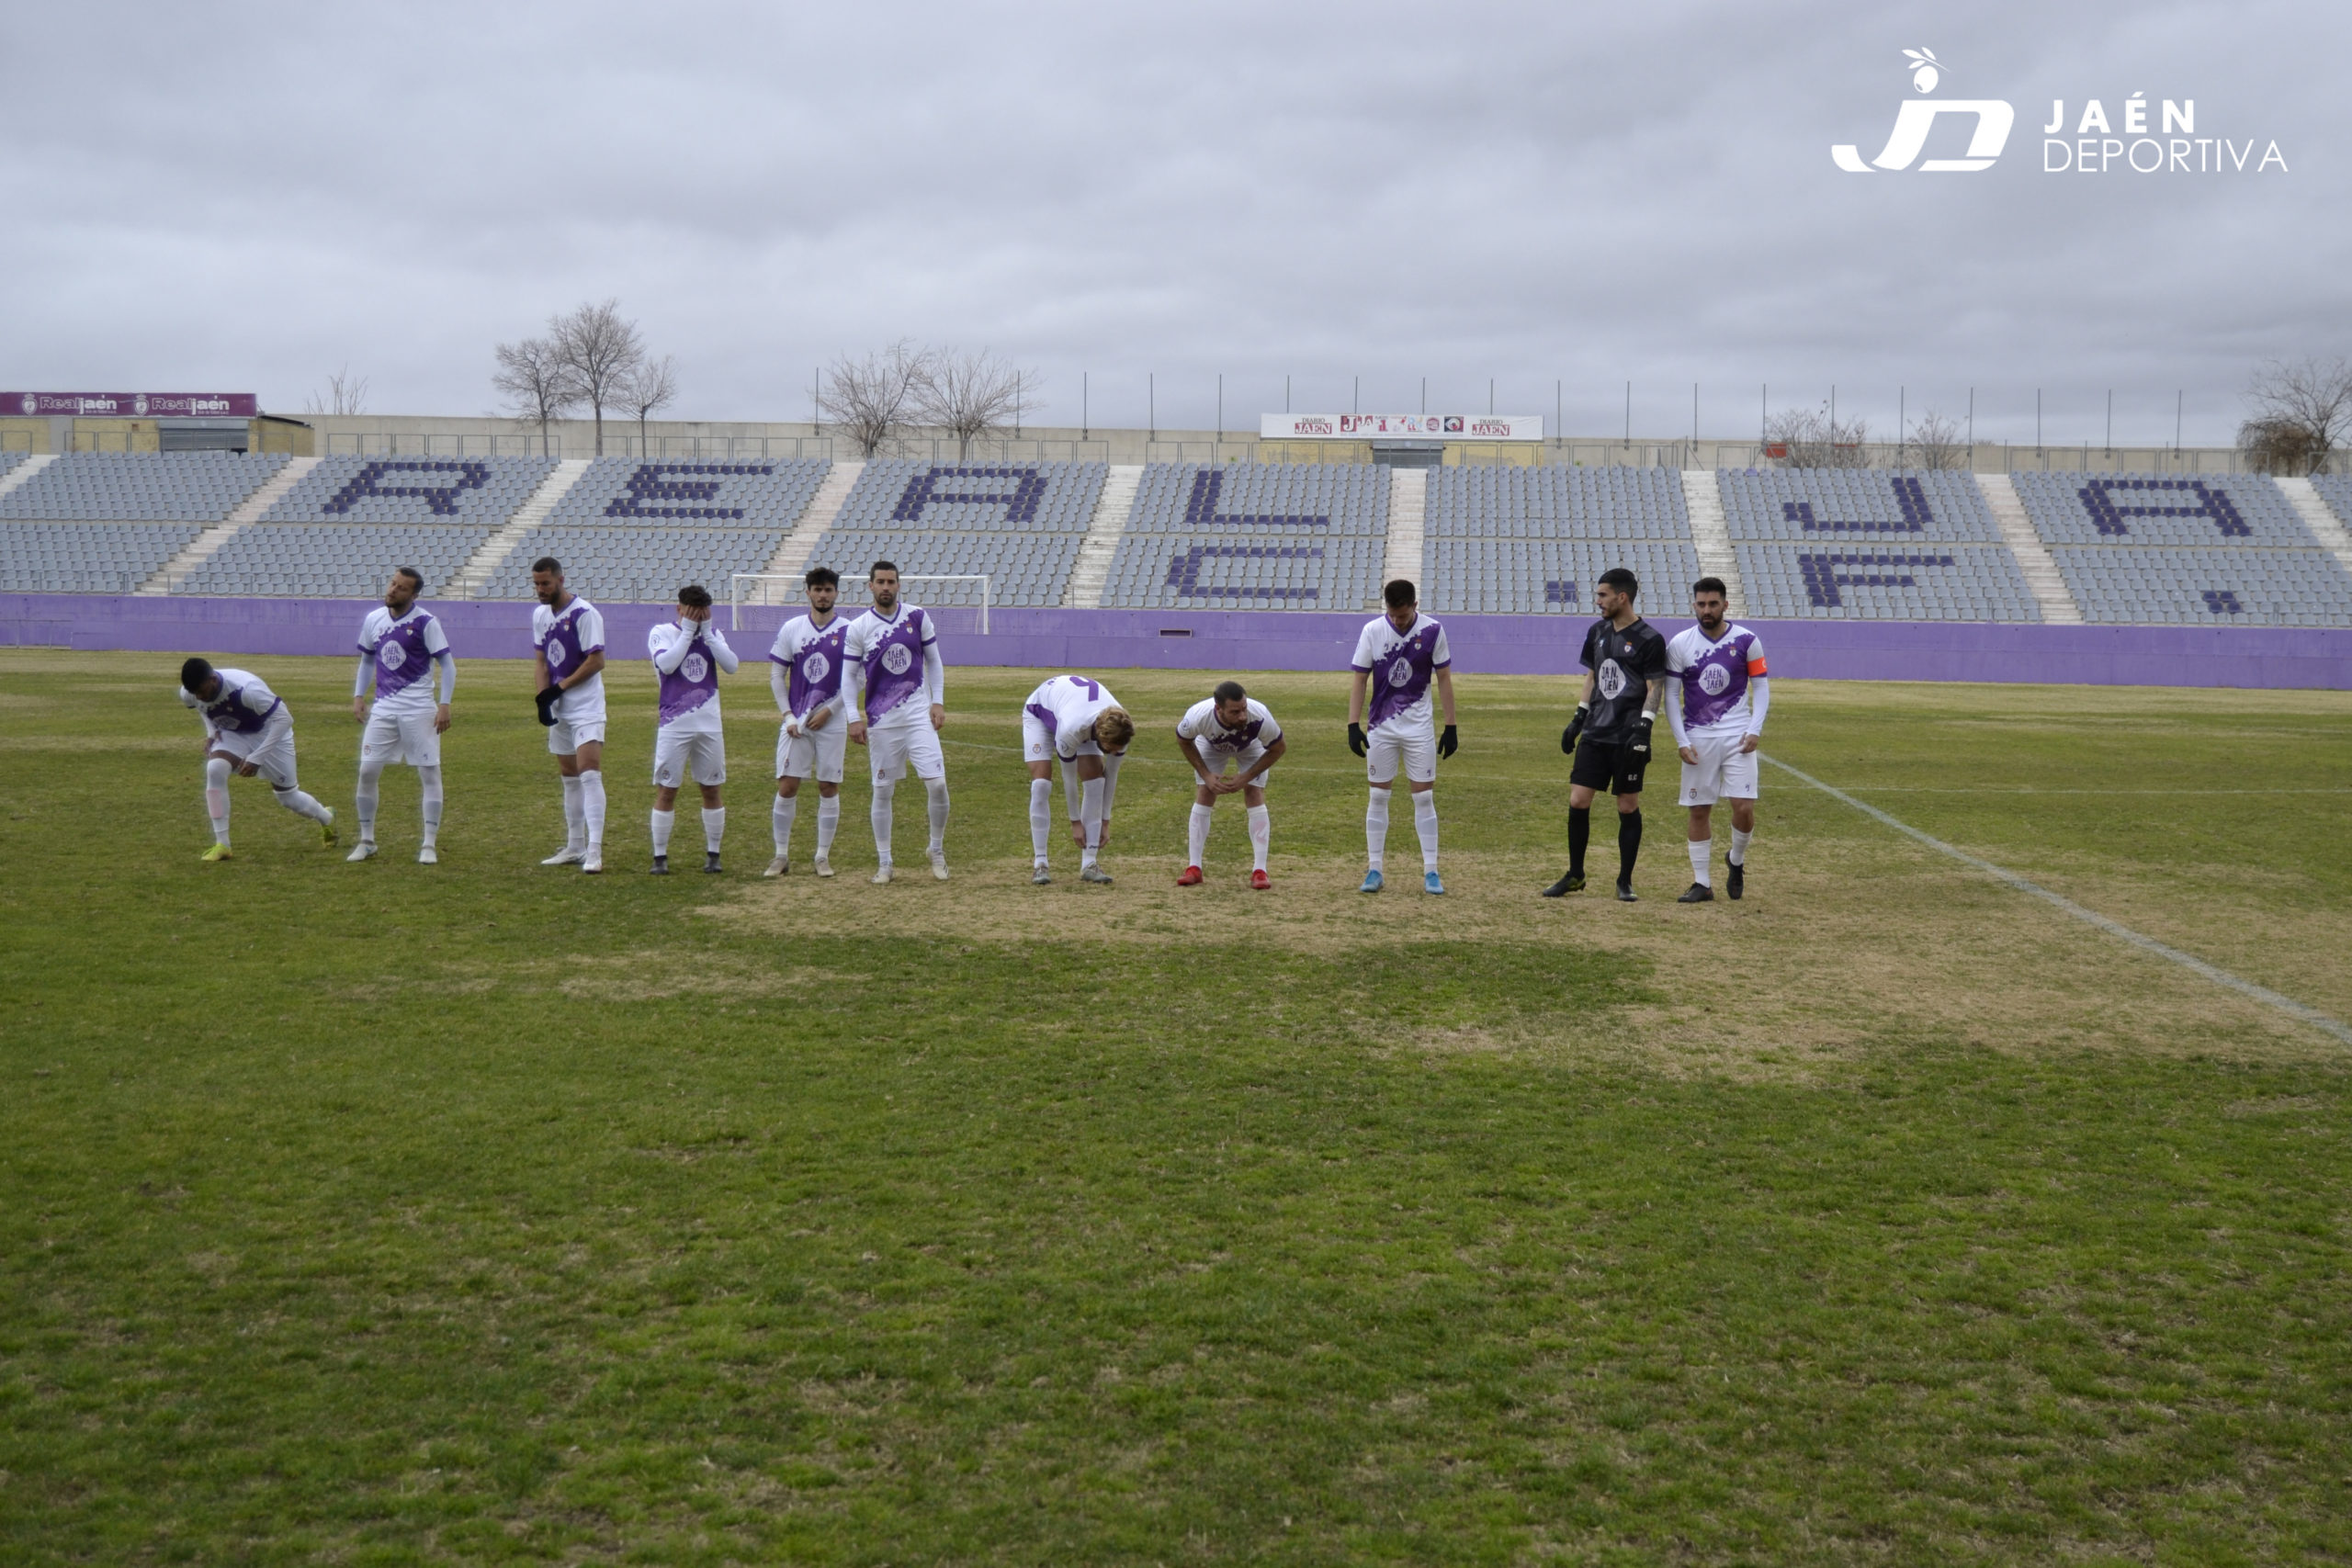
(1398, 657)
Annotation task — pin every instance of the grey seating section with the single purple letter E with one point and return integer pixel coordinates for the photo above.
(634, 530)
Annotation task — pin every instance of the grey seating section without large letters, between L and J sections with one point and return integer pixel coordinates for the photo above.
(1530, 542)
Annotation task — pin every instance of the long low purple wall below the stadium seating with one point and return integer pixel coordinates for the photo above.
(1267, 641)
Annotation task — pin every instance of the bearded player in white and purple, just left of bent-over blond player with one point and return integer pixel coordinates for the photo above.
(900, 699)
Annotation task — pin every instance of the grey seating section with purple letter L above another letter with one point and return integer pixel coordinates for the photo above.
(1252, 537)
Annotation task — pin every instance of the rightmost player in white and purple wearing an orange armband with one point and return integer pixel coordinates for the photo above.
(1718, 699)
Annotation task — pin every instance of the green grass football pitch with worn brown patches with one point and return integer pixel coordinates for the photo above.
(389, 1214)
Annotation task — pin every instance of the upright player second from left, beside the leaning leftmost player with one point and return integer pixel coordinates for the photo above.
(403, 655)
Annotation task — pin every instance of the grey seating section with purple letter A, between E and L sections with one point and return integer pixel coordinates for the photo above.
(1015, 523)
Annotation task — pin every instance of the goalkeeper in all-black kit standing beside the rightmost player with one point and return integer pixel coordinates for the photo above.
(1624, 688)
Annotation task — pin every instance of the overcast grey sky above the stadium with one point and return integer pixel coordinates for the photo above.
(243, 199)
